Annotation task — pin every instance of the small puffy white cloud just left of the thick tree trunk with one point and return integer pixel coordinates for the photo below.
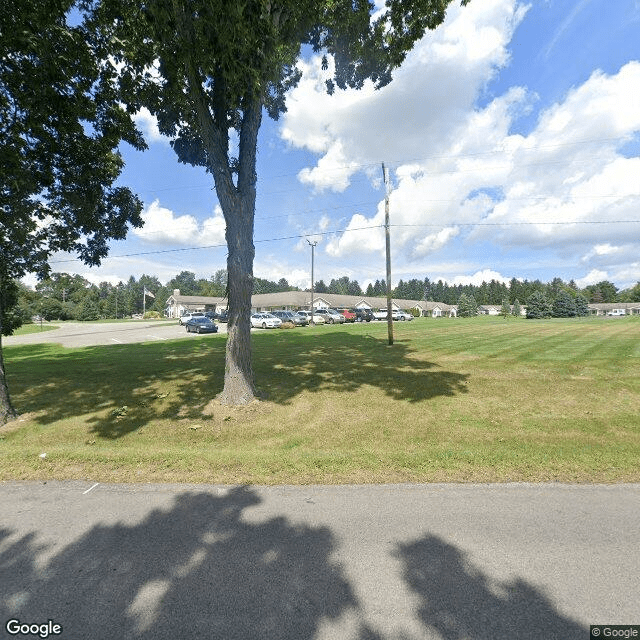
(163, 227)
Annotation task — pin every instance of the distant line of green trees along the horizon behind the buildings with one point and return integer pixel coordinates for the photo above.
(62, 296)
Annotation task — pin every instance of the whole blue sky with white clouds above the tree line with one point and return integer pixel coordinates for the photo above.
(512, 135)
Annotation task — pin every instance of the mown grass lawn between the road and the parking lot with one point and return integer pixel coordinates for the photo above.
(468, 400)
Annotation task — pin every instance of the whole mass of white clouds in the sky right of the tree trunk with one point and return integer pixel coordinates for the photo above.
(461, 173)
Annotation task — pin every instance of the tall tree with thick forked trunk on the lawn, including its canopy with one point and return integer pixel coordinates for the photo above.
(208, 68)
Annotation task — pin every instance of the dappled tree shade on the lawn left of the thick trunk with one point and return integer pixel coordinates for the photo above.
(117, 389)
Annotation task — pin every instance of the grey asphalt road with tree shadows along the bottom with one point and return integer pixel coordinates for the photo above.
(393, 562)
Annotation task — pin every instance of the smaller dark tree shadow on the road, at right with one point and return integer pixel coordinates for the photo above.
(458, 601)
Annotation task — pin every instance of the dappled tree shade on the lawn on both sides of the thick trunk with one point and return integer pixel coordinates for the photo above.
(125, 387)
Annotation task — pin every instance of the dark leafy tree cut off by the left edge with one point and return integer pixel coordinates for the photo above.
(60, 127)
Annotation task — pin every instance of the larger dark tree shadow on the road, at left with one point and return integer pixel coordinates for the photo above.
(197, 570)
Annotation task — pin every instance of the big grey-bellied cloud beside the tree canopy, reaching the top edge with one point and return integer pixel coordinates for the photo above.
(420, 111)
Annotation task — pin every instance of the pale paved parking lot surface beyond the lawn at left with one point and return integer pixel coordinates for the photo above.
(84, 334)
